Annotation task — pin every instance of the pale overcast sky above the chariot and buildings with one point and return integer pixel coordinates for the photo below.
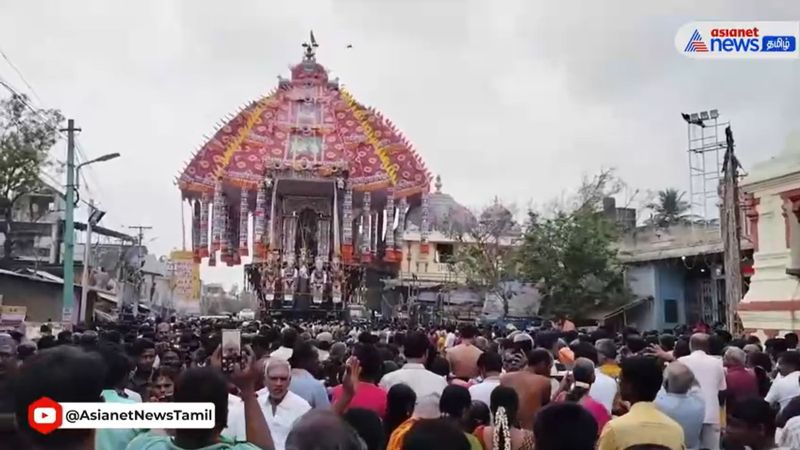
(517, 99)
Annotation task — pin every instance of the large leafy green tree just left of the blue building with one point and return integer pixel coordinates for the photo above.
(570, 255)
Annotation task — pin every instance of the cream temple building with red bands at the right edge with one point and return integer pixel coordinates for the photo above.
(772, 199)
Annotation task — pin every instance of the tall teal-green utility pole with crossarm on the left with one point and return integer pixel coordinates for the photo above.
(68, 295)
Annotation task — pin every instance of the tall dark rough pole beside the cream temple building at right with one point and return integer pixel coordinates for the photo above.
(730, 232)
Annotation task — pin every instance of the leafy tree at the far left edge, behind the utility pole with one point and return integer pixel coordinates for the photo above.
(26, 136)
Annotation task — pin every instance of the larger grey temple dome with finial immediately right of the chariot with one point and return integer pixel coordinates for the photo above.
(445, 214)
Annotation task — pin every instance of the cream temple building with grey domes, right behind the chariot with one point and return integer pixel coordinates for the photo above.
(428, 283)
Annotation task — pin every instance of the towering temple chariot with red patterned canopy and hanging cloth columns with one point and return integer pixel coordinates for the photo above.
(327, 182)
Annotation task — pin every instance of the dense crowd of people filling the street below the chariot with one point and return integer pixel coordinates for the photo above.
(391, 386)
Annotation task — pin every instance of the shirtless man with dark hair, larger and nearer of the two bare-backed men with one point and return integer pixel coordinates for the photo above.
(532, 388)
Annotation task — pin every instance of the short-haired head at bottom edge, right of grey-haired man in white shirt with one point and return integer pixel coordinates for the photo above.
(306, 432)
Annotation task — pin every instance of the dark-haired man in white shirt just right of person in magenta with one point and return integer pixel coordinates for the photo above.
(427, 385)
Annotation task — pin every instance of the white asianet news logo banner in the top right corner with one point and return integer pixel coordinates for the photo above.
(739, 40)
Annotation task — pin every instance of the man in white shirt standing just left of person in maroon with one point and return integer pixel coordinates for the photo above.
(710, 375)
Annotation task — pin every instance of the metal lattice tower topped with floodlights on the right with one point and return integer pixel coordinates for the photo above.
(706, 145)
